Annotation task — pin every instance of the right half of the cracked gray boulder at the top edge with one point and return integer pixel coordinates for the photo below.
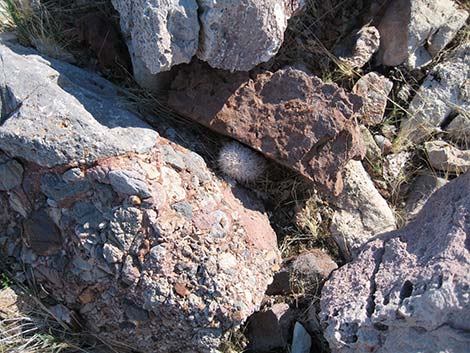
(238, 35)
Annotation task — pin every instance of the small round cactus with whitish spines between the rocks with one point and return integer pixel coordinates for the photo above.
(241, 163)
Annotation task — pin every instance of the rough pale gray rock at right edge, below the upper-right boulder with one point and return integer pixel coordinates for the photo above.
(443, 95)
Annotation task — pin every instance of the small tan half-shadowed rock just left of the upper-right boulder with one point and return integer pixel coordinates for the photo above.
(357, 49)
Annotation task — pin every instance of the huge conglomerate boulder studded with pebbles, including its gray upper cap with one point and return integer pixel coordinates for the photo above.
(162, 257)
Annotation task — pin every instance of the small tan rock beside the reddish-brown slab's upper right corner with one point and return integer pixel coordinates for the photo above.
(374, 89)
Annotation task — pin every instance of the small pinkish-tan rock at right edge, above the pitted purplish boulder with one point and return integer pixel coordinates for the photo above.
(445, 157)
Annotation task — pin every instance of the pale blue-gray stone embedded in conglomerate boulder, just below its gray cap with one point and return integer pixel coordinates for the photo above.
(129, 183)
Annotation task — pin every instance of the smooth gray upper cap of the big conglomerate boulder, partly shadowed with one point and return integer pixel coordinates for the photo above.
(55, 113)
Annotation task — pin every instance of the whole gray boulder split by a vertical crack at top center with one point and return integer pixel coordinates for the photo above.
(231, 35)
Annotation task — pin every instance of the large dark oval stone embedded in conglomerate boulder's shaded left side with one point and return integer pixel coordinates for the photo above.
(41, 234)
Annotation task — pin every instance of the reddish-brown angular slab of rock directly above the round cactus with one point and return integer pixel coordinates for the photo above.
(289, 116)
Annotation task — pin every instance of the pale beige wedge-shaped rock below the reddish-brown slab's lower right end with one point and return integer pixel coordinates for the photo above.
(361, 212)
